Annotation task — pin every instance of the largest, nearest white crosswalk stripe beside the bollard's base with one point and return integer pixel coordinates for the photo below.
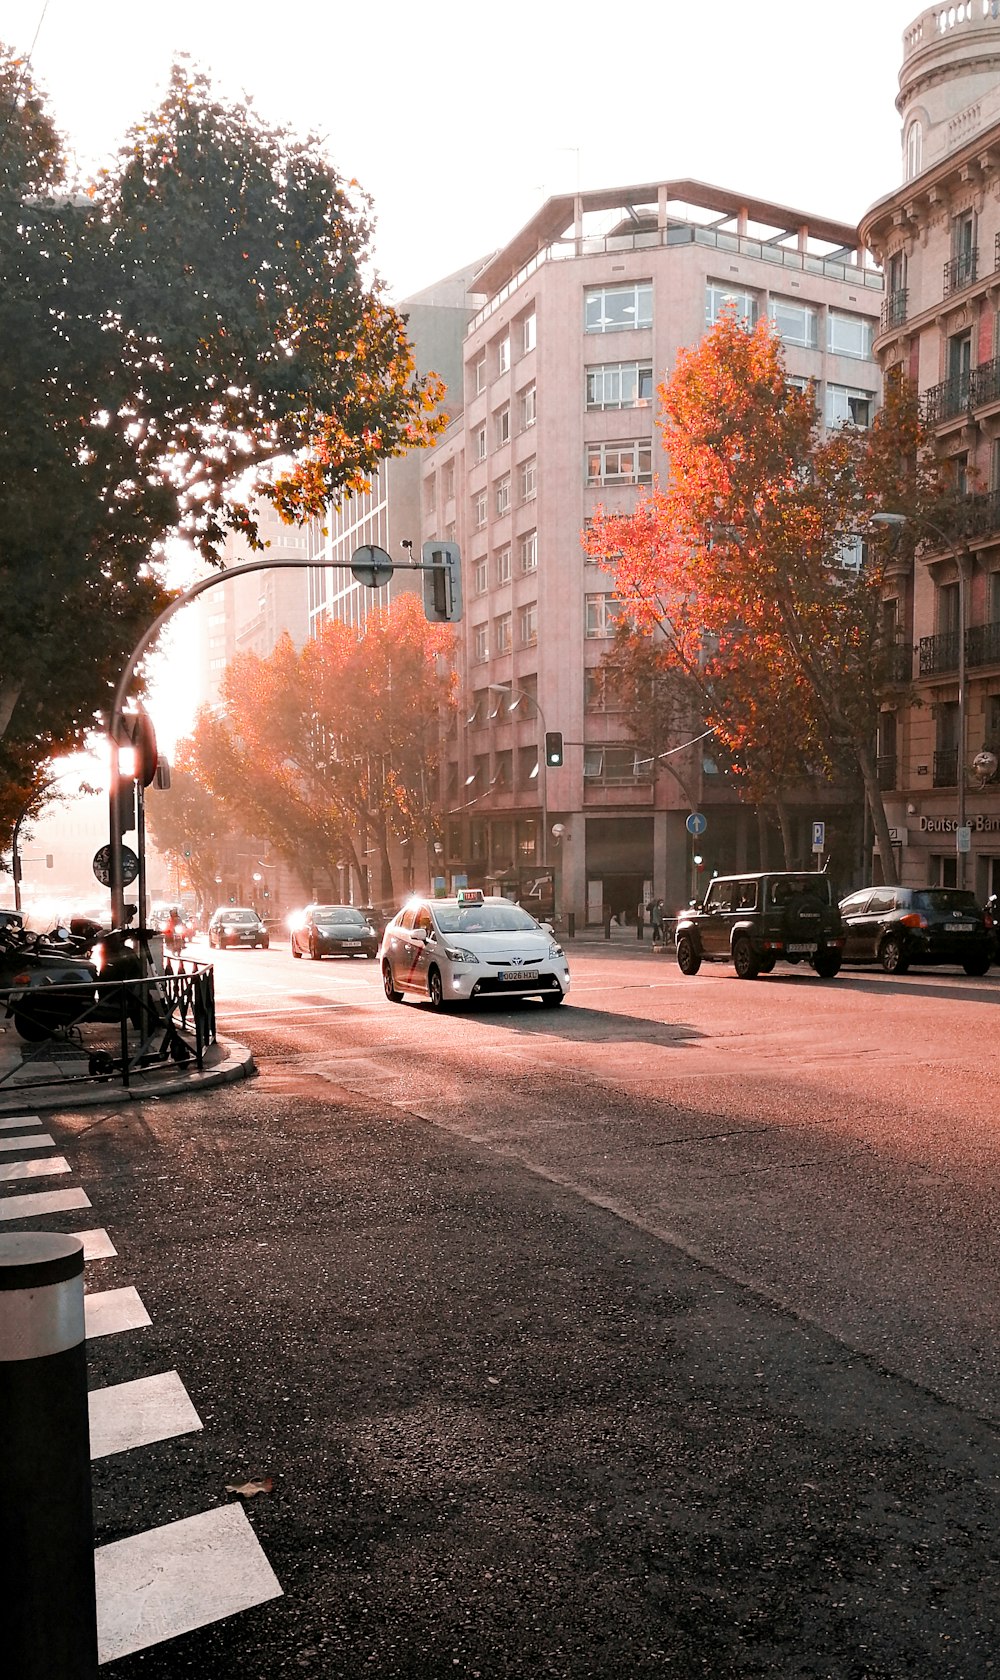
(174, 1580)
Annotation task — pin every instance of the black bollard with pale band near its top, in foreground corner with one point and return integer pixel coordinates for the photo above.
(46, 1513)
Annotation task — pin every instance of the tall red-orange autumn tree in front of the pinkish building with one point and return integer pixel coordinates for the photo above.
(757, 570)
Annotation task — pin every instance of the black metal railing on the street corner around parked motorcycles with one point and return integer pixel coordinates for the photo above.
(118, 1029)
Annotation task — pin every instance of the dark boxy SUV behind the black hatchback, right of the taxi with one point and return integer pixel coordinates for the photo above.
(755, 921)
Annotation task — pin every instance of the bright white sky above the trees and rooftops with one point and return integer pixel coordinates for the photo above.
(460, 120)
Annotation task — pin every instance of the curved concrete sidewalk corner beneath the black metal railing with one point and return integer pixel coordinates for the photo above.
(55, 1074)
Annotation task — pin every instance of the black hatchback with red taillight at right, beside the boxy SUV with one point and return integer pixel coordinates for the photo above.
(898, 927)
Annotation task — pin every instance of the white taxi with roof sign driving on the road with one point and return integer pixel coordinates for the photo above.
(471, 947)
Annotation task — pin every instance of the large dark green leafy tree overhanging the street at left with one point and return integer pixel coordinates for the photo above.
(191, 337)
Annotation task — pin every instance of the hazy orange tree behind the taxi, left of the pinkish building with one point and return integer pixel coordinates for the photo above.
(334, 752)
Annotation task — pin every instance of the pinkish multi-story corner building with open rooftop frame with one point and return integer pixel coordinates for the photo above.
(584, 315)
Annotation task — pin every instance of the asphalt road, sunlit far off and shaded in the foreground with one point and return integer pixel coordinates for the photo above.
(655, 1335)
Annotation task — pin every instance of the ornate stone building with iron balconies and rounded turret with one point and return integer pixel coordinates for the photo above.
(939, 241)
